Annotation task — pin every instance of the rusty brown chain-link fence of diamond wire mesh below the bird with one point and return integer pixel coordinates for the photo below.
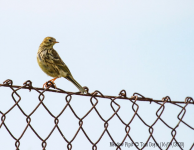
(94, 96)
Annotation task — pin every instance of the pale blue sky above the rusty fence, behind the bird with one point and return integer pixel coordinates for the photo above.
(109, 45)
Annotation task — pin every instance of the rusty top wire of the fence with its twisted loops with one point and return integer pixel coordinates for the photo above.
(122, 93)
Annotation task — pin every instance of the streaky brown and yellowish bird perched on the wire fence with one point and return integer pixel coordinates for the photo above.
(50, 62)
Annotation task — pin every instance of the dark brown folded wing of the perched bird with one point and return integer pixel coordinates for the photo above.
(56, 60)
